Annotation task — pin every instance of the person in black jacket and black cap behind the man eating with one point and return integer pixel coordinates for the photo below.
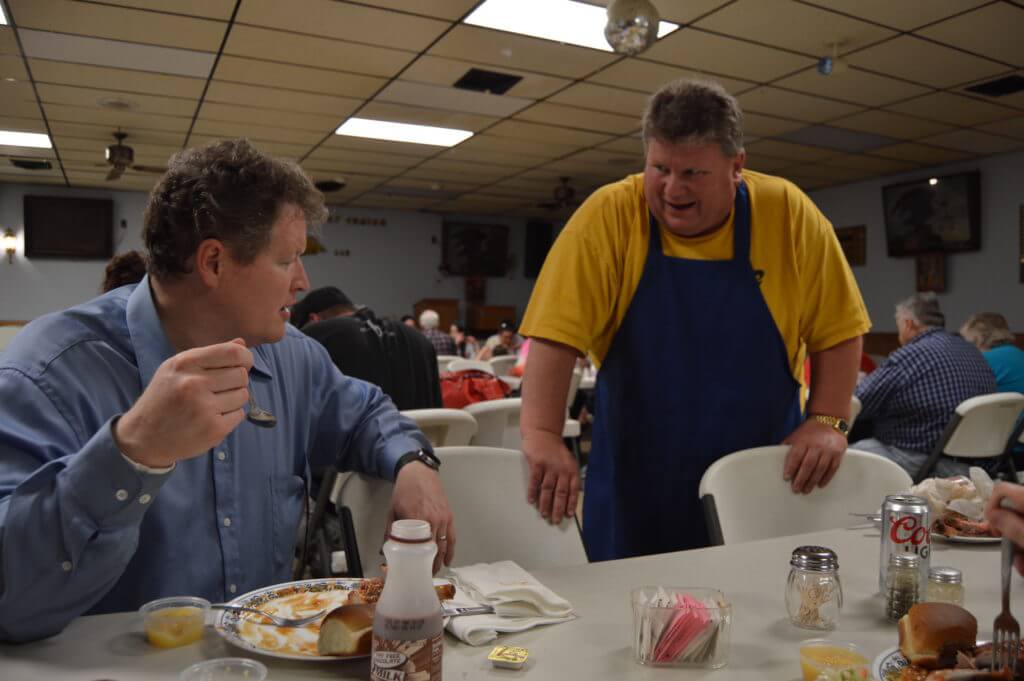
(388, 354)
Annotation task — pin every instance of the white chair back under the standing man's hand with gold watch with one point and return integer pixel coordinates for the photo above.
(746, 498)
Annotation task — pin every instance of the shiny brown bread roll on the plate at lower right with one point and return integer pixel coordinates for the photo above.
(932, 634)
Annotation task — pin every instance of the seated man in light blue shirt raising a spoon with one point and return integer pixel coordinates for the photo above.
(129, 471)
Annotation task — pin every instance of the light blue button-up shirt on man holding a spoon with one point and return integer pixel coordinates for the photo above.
(83, 531)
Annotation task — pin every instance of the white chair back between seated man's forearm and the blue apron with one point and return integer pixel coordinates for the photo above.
(487, 489)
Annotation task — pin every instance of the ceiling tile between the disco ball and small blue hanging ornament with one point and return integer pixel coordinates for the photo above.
(702, 52)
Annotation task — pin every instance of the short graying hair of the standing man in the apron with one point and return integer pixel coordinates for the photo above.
(695, 112)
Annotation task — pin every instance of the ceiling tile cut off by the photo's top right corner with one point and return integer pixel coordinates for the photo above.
(994, 31)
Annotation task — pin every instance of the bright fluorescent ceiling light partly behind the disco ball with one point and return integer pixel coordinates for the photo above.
(563, 21)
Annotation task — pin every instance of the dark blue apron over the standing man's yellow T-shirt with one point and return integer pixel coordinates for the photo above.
(697, 370)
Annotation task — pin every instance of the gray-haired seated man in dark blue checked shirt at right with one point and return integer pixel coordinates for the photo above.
(912, 397)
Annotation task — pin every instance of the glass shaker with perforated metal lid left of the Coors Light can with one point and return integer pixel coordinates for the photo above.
(814, 592)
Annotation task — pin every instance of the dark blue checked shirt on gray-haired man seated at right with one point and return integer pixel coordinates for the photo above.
(914, 394)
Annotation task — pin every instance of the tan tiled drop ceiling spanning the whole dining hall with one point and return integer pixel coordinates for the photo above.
(287, 74)
